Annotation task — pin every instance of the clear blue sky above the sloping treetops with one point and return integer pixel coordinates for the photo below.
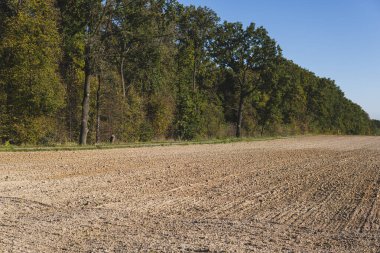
(338, 39)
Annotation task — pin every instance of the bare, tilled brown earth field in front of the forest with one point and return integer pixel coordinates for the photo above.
(308, 194)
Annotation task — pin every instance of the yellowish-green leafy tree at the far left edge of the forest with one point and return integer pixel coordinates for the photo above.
(30, 53)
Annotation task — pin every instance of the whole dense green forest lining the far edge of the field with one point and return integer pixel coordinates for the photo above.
(143, 70)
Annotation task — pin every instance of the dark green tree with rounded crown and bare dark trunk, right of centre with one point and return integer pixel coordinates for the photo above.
(246, 52)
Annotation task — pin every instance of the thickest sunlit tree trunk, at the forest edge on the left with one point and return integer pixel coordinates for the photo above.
(86, 98)
